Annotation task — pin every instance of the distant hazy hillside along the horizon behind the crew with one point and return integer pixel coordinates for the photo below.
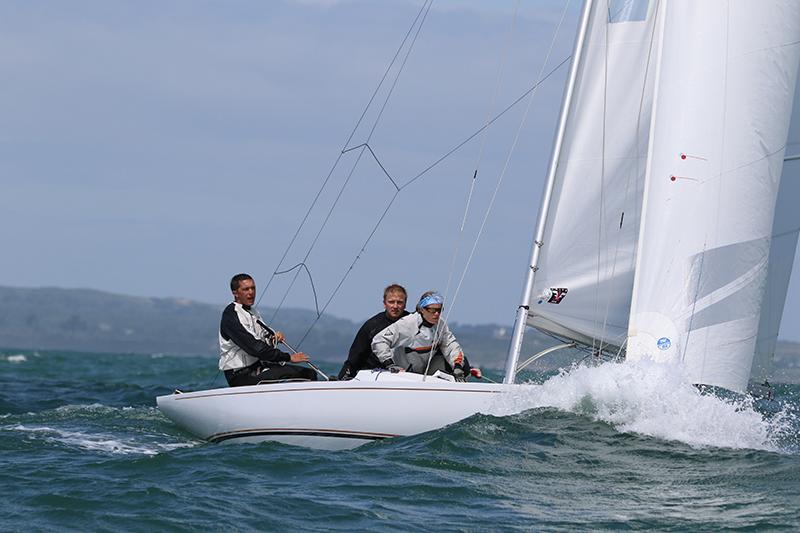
(93, 321)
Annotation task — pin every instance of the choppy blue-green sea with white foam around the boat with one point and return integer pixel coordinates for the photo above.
(591, 448)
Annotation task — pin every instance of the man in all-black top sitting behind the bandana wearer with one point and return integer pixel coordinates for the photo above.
(360, 356)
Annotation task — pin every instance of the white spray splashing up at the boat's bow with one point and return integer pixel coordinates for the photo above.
(655, 400)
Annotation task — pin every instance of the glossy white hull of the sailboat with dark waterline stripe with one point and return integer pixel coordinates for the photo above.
(330, 415)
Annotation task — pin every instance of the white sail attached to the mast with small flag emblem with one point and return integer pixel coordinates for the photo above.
(583, 284)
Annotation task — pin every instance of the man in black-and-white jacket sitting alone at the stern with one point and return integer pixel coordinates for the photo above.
(248, 353)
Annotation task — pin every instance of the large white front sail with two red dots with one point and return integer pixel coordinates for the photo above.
(727, 73)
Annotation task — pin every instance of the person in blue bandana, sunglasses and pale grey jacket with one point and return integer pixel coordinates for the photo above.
(407, 344)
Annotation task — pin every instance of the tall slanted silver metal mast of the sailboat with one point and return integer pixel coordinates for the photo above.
(524, 306)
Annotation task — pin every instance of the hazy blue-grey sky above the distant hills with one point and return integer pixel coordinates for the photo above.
(157, 148)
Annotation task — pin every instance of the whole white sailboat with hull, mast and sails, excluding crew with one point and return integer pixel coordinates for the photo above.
(654, 232)
